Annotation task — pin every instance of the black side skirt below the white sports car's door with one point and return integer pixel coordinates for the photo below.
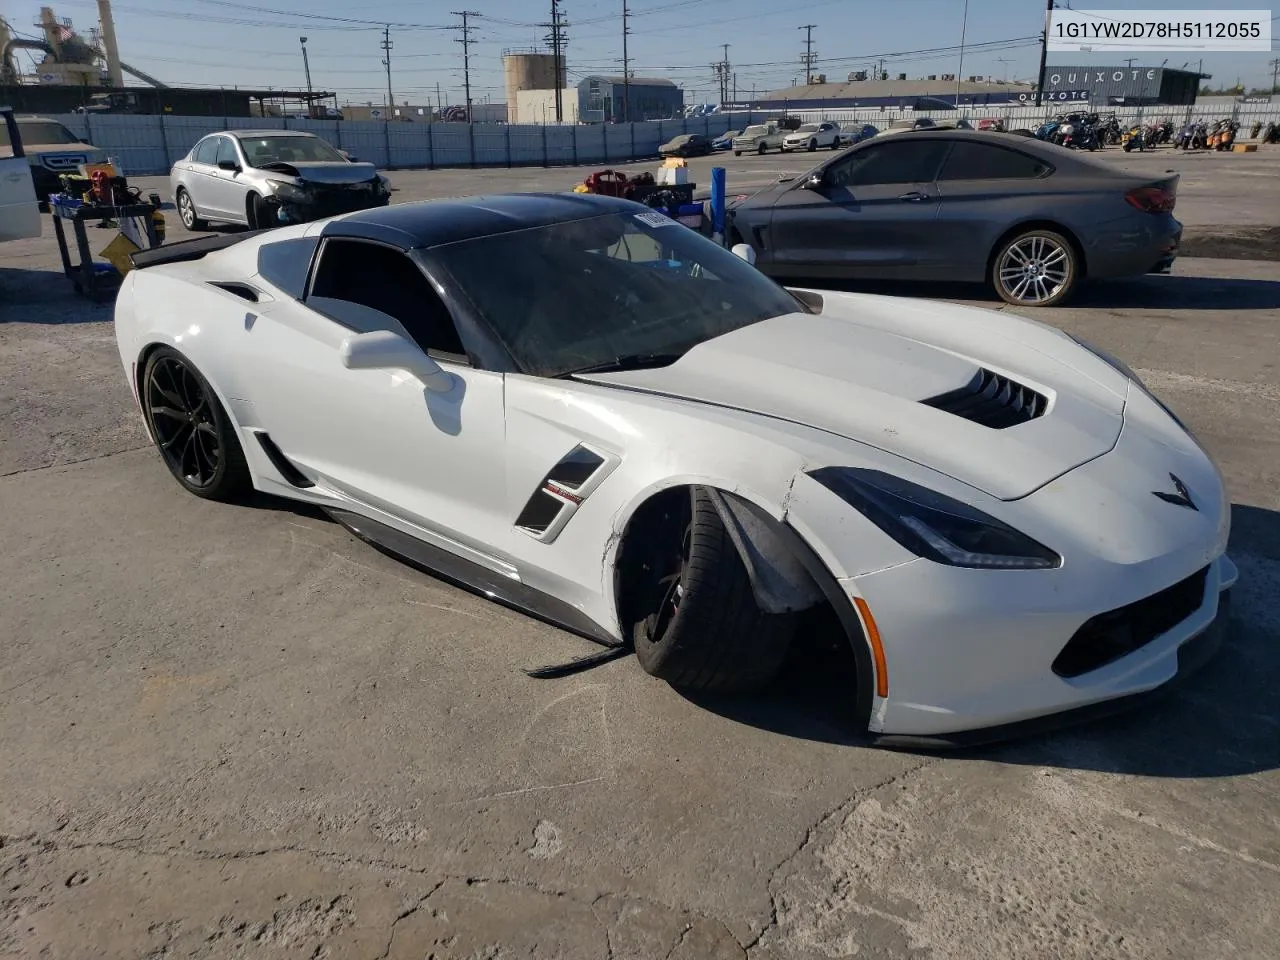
(473, 577)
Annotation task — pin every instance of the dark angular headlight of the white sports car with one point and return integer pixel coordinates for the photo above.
(935, 527)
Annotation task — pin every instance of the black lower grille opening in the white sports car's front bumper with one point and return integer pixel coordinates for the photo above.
(1113, 636)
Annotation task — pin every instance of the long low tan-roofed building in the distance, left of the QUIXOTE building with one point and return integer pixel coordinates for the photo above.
(936, 93)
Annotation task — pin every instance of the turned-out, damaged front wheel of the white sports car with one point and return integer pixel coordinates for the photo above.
(700, 627)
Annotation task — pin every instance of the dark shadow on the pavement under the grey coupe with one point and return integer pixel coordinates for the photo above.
(1154, 291)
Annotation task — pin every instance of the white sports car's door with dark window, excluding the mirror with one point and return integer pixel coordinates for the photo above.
(432, 461)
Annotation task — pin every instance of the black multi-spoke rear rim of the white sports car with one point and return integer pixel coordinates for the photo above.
(184, 422)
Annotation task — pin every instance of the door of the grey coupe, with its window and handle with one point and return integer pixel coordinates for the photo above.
(871, 216)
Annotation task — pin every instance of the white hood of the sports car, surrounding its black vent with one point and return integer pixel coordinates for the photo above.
(865, 367)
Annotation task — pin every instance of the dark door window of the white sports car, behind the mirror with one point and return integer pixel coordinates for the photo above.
(387, 281)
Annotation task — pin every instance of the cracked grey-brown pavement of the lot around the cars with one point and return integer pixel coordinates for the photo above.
(239, 732)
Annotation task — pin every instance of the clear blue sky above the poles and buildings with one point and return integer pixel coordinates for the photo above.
(239, 43)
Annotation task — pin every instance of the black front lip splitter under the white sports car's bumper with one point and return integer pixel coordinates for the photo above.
(1192, 656)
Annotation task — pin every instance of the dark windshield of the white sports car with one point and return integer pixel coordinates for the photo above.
(598, 292)
